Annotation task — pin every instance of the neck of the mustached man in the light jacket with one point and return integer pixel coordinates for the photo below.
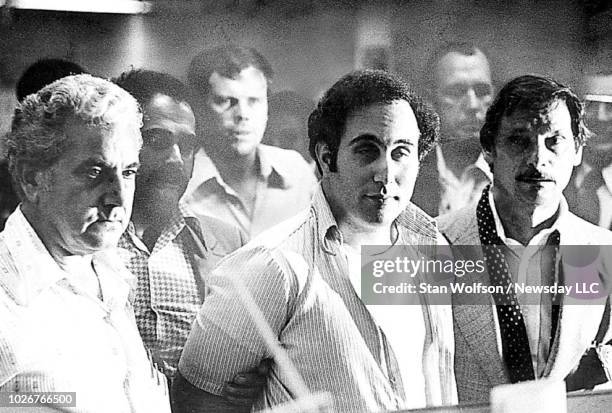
(523, 221)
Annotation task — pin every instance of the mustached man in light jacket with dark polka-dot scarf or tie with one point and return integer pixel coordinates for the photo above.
(532, 138)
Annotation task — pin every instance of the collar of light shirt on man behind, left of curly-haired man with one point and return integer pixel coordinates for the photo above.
(273, 172)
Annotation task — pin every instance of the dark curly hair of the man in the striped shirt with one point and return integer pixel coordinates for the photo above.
(358, 90)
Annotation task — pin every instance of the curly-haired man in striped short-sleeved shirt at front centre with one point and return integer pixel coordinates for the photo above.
(367, 135)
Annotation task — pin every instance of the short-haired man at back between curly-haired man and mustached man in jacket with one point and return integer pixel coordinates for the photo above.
(458, 81)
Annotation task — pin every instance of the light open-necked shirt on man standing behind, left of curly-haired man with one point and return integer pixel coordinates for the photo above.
(285, 187)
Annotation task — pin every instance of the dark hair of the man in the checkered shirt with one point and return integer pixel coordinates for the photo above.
(144, 84)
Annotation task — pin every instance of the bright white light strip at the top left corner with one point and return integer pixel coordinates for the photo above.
(84, 6)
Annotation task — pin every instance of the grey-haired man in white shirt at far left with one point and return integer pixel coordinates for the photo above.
(66, 324)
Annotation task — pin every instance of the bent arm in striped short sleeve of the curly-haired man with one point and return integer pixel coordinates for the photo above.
(224, 344)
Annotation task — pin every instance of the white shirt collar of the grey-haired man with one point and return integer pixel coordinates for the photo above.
(37, 270)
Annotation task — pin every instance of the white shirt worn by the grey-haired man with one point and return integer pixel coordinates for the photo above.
(54, 336)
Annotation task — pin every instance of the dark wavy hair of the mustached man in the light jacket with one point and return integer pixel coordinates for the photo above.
(534, 95)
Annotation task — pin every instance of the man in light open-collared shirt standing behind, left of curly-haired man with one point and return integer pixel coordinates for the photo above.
(236, 178)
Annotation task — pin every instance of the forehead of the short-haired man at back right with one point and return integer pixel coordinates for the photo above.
(455, 67)
